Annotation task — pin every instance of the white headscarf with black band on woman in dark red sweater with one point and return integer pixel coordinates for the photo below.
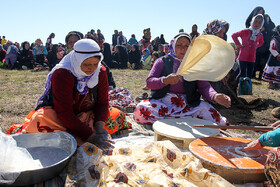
(83, 49)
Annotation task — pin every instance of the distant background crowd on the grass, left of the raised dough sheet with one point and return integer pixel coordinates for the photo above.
(122, 53)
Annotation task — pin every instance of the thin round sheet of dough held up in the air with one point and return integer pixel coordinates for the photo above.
(208, 58)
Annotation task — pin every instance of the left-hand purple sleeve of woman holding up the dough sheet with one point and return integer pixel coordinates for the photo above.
(154, 79)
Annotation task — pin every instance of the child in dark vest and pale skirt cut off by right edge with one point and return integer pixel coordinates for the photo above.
(272, 68)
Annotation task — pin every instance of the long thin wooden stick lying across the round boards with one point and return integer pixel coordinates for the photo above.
(252, 128)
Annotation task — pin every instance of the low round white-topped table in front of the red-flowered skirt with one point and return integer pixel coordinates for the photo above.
(182, 129)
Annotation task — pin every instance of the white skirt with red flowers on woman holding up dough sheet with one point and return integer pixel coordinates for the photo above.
(175, 106)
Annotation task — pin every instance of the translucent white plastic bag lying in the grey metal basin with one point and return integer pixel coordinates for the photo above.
(14, 160)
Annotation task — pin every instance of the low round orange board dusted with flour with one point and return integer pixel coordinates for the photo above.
(218, 155)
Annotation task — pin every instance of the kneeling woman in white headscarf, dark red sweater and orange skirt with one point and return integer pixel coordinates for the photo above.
(76, 97)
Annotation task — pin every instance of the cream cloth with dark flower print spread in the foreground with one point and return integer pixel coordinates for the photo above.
(156, 164)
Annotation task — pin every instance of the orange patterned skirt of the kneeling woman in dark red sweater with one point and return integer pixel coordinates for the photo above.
(45, 120)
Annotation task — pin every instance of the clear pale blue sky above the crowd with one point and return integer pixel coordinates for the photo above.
(27, 20)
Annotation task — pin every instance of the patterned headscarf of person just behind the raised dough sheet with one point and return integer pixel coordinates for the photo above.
(215, 26)
